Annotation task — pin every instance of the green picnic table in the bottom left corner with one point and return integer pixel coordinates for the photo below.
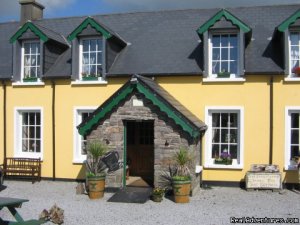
(12, 204)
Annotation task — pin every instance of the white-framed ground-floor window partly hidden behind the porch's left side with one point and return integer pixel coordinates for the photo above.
(80, 114)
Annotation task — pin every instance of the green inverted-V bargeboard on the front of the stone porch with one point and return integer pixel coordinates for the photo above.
(86, 126)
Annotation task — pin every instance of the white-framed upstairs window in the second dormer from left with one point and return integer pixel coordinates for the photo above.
(91, 58)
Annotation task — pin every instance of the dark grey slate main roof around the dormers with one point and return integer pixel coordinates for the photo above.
(166, 42)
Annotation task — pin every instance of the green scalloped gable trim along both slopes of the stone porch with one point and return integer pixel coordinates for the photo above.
(108, 107)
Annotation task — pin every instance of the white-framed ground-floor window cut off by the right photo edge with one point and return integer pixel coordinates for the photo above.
(292, 134)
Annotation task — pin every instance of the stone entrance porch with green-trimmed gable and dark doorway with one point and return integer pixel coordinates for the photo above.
(146, 126)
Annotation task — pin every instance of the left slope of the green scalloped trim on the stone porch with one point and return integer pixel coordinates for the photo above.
(106, 109)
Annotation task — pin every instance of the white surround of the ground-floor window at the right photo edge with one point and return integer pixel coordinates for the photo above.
(287, 152)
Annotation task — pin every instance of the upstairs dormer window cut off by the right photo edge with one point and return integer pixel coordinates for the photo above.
(295, 54)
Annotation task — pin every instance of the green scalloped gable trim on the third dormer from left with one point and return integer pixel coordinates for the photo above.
(228, 16)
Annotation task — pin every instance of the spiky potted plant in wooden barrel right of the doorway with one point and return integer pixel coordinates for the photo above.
(181, 179)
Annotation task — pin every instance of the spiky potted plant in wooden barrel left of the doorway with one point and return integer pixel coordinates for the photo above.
(96, 169)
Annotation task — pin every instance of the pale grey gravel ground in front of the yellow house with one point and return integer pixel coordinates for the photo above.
(210, 206)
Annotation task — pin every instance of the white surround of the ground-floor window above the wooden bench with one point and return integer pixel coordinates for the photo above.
(18, 132)
